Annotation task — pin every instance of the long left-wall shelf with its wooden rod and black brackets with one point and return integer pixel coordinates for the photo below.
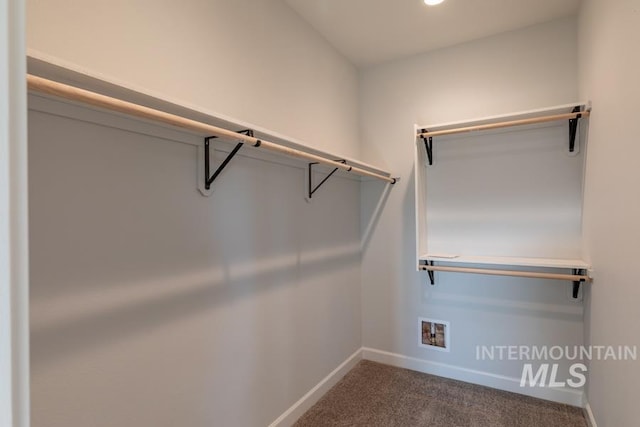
(137, 104)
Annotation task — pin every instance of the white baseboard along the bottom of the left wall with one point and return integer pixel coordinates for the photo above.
(292, 414)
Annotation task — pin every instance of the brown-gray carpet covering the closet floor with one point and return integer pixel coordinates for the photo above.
(376, 395)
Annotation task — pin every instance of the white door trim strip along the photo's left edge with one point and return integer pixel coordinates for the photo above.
(14, 275)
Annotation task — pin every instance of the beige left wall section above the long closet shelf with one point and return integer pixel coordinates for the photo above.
(254, 60)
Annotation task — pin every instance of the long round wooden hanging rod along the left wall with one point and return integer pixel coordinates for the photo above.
(50, 87)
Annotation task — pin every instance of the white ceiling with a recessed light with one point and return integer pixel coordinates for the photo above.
(373, 31)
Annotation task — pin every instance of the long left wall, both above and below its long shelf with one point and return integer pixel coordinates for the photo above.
(155, 306)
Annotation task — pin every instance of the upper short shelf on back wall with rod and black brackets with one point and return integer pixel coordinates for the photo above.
(569, 112)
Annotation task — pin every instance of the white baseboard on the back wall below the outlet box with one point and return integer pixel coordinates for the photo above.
(564, 395)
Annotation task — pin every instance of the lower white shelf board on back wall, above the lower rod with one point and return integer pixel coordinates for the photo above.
(506, 261)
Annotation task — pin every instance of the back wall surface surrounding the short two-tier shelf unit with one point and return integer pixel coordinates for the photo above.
(522, 70)
